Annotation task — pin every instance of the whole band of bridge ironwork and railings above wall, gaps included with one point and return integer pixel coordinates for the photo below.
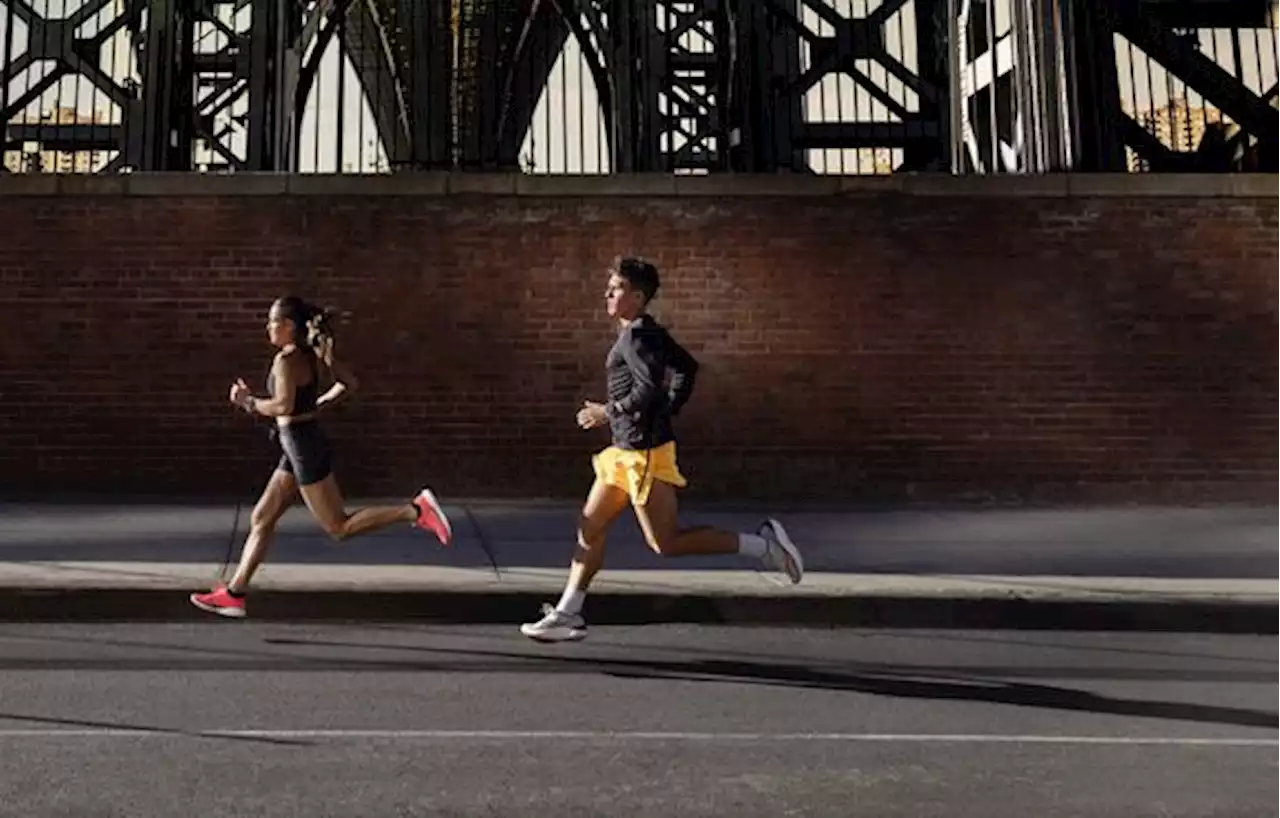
(847, 88)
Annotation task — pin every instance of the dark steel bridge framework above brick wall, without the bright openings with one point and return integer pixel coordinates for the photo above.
(455, 84)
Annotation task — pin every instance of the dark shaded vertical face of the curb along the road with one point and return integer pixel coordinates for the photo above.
(624, 607)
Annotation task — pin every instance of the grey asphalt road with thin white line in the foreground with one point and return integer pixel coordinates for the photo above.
(286, 720)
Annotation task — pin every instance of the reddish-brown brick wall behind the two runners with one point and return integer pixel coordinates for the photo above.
(904, 340)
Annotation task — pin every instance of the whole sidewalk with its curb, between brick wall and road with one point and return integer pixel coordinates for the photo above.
(1136, 569)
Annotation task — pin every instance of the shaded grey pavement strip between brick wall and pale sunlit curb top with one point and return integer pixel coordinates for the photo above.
(1162, 543)
